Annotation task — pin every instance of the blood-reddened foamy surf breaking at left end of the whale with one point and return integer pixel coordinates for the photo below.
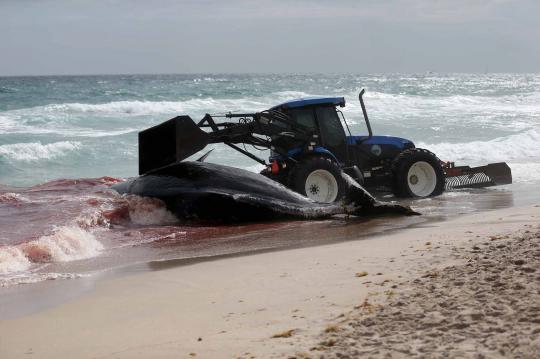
(77, 240)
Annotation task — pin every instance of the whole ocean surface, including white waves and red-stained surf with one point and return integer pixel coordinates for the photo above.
(64, 140)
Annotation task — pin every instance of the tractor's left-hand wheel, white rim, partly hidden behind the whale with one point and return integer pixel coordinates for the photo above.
(329, 169)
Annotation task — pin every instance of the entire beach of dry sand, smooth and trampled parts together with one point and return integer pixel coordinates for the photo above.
(447, 290)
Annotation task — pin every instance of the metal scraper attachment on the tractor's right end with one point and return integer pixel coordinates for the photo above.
(494, 174)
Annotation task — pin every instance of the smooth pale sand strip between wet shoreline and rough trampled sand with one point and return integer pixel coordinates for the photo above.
(236, 305)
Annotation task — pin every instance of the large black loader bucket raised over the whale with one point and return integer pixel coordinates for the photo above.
(169, 142)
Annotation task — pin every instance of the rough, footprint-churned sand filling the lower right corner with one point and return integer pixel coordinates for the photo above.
(486, 307)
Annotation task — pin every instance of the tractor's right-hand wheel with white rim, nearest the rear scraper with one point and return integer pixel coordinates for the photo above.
(429, 182)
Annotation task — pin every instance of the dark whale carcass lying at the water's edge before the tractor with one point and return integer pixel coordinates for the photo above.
(210, 192)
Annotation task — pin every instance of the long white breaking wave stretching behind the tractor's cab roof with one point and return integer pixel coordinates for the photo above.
(523, 103)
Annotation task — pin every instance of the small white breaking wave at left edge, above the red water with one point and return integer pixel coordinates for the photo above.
(34, 151)
